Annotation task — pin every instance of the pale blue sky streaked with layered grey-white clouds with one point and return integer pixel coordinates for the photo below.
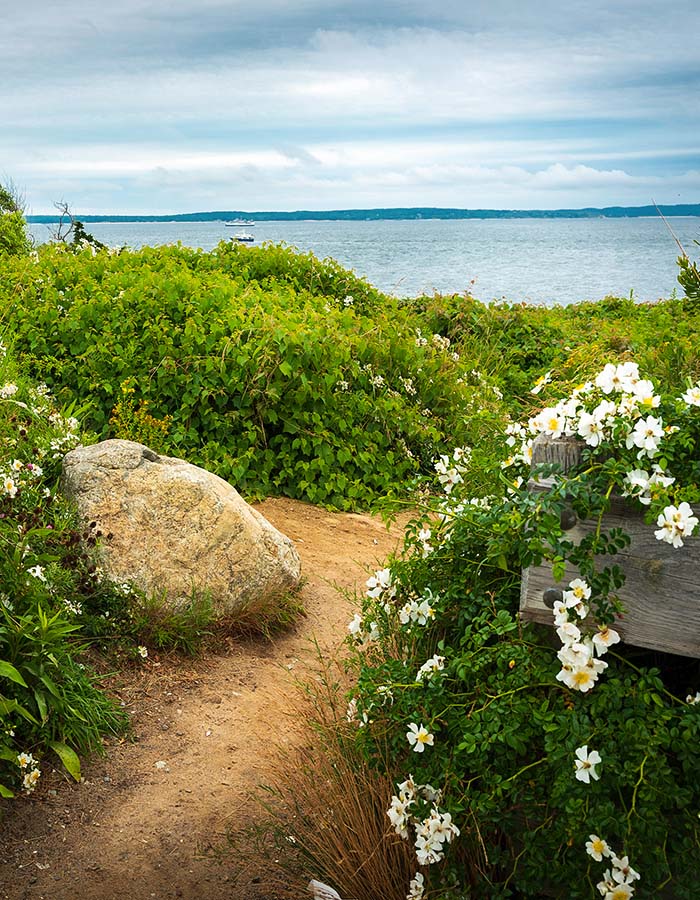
(173, 106)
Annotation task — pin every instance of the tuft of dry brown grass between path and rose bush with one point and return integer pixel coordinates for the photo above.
(327, 807)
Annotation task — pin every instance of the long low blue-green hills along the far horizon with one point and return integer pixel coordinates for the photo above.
(418, 212)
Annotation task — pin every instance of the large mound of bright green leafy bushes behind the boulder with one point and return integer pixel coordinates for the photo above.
(266, 369)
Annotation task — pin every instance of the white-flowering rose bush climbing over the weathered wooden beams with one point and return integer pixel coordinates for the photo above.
(542, 759)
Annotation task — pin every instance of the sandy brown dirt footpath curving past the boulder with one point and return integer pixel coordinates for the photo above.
(143, 822)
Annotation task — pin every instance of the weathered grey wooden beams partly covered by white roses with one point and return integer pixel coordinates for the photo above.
(661, 593)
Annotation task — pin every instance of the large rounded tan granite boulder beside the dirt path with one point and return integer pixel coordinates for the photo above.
(172, 528)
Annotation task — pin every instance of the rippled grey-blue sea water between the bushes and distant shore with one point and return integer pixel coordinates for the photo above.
(544, 261)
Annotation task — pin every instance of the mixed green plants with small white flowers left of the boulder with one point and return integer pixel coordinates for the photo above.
(48, 700)
